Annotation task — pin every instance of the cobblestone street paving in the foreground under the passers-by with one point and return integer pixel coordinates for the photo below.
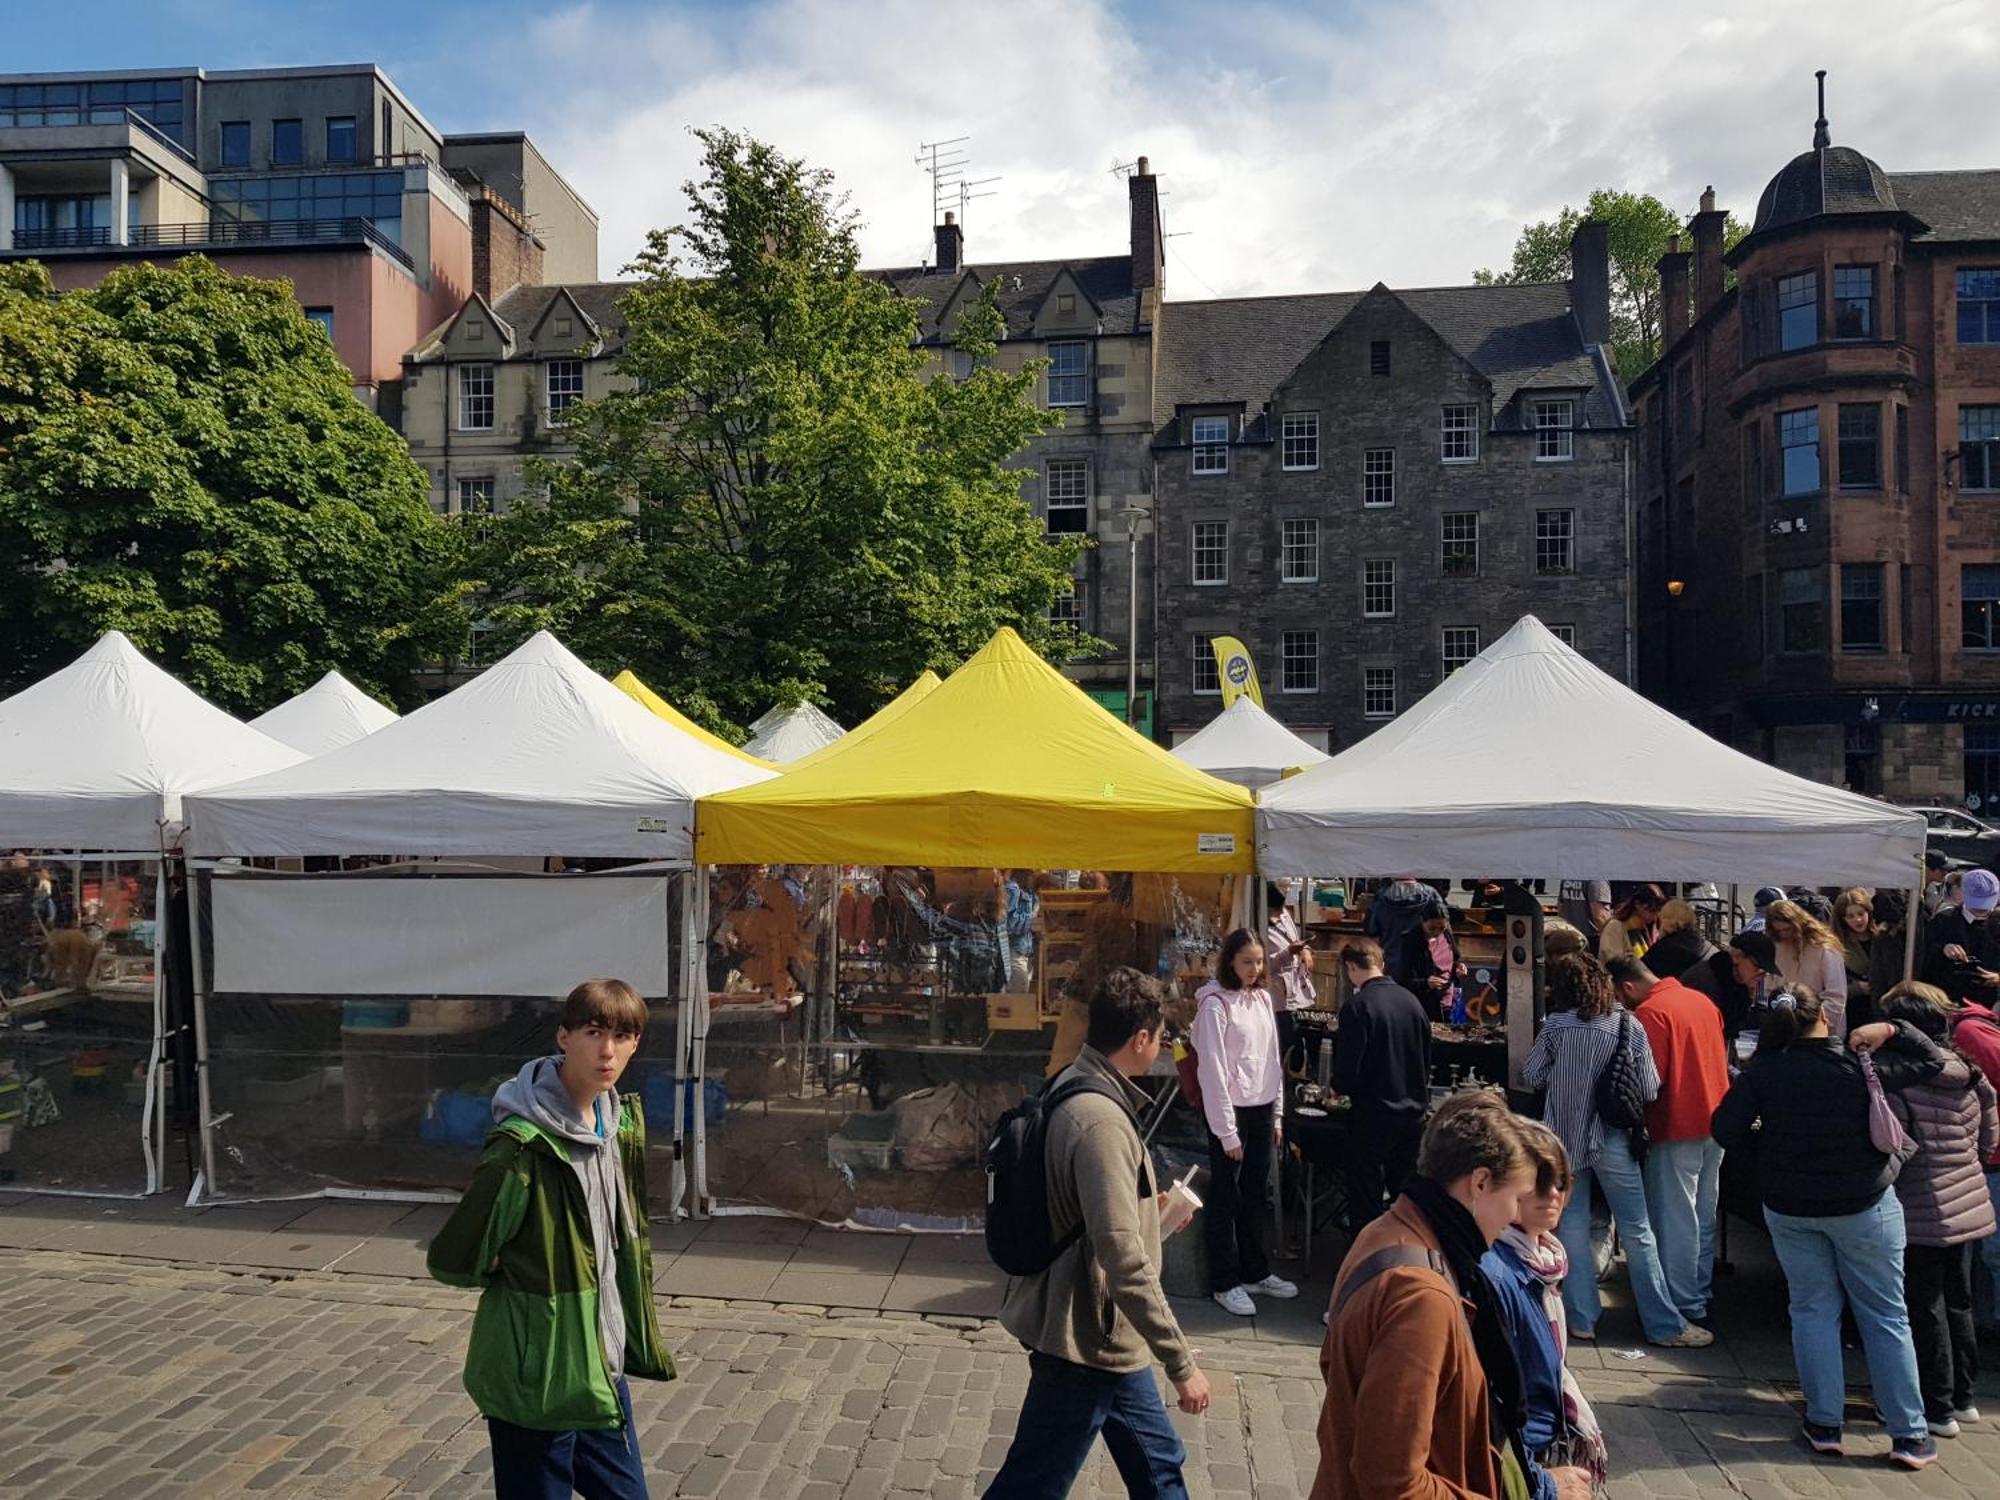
(129, 1377)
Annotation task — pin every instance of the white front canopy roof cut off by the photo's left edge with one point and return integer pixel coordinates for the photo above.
(99, 755)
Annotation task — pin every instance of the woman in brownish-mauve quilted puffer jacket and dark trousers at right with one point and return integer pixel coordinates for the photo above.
(1945, 1205)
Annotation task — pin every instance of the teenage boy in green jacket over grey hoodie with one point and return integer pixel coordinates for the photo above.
(553, 1231)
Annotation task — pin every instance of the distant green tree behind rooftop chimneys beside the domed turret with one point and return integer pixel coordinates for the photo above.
(1639, 231)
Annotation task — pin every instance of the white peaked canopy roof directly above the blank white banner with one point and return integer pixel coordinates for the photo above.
(539, 755)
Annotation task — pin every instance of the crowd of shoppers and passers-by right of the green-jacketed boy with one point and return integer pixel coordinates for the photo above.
(1859, 1099)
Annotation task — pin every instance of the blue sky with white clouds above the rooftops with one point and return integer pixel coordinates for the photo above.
(1299, 147)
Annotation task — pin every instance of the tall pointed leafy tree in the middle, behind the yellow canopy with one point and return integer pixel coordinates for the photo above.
(789, 501)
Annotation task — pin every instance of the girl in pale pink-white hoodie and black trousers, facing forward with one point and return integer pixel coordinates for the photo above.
(1243, 1099)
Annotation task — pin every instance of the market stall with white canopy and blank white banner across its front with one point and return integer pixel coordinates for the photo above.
(355, 1021)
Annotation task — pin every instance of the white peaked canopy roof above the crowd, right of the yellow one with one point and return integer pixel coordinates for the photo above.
(1529, 759)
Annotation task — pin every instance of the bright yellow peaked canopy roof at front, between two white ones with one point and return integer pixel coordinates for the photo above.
(1003, 765)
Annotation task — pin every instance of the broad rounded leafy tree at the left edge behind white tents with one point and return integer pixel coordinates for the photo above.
(183, 459)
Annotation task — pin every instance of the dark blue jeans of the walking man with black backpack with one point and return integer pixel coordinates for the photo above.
(1063, 1415)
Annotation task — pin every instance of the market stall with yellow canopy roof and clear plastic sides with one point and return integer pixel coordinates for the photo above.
(943, 889)
